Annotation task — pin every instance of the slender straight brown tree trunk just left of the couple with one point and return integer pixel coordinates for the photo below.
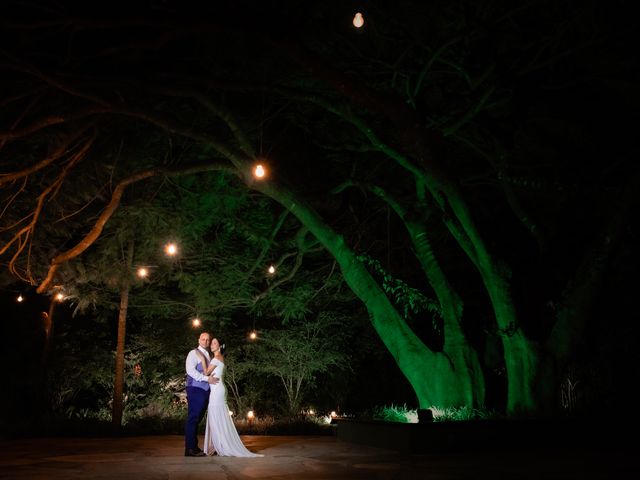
(118, 383)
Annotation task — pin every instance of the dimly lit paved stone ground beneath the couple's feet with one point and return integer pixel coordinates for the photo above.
(291, 457)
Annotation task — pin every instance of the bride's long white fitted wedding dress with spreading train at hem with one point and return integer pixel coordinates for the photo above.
(220, 435)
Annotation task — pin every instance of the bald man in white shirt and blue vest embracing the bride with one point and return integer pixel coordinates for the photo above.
(197, 395)
